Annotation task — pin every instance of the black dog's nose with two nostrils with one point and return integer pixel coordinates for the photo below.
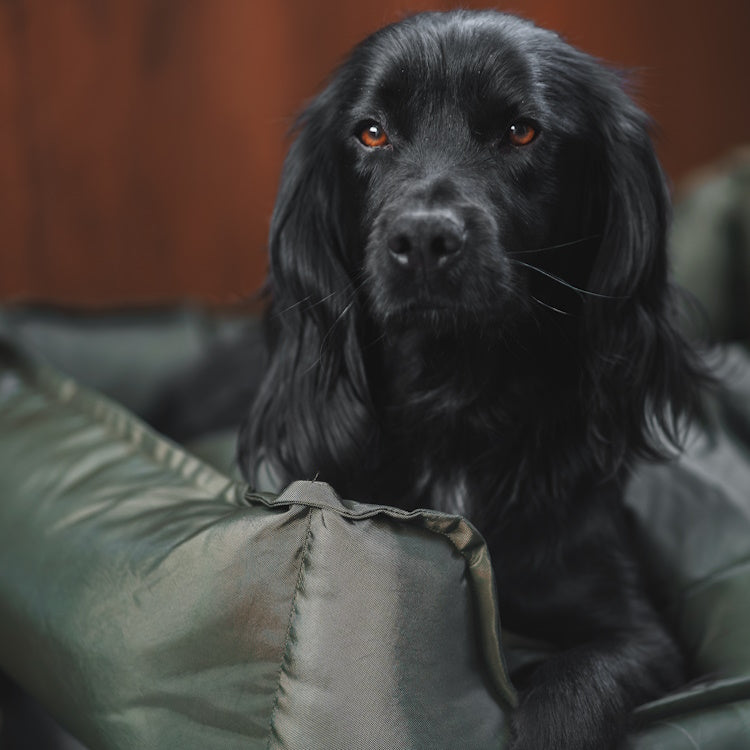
(427, 239)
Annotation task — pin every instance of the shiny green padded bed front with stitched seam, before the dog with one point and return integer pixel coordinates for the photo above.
(149, 602)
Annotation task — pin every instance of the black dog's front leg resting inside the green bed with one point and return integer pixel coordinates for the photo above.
(576, 584)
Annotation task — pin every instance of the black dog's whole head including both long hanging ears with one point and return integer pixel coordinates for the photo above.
(470, 170)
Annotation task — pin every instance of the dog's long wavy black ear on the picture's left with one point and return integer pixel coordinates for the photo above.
(314, 370)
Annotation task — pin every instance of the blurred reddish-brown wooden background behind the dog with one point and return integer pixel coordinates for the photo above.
(141, 140)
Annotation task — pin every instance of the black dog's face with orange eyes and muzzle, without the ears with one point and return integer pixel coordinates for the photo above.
(463, 158)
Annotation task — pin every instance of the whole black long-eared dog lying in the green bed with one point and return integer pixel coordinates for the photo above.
(471, 313)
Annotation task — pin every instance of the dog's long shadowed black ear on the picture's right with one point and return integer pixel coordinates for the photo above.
(643, 376)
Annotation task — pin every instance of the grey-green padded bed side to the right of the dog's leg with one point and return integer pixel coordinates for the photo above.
(694, 520)
